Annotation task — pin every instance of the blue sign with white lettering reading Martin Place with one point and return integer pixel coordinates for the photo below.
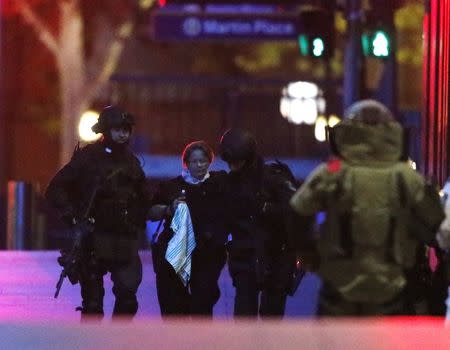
(175, 26)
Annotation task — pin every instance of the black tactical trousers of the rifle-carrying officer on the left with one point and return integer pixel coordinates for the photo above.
(126, 277)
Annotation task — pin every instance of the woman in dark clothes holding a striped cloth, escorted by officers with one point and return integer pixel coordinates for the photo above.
(203, 192)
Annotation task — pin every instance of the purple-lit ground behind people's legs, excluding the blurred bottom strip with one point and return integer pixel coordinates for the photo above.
(28, 280)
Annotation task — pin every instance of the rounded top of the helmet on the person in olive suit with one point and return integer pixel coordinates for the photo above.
(369, 112)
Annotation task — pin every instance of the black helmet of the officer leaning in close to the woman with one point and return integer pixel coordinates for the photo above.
(237, 145)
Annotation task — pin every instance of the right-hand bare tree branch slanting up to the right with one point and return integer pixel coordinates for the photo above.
(111, 59)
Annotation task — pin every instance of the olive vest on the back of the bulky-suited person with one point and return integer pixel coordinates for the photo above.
(366, 244)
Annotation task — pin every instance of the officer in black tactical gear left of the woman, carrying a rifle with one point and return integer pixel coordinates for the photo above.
(104, 181)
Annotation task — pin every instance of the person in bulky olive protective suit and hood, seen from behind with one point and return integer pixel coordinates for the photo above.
(379, 211)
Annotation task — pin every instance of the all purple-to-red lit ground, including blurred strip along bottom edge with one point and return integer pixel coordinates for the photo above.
(30, 318)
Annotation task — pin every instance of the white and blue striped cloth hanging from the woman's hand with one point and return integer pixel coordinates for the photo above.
(180, 247)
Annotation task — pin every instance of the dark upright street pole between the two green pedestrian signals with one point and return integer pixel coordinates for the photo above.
(353, 60)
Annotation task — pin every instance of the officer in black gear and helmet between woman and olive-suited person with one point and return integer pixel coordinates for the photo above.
(260, 258)
